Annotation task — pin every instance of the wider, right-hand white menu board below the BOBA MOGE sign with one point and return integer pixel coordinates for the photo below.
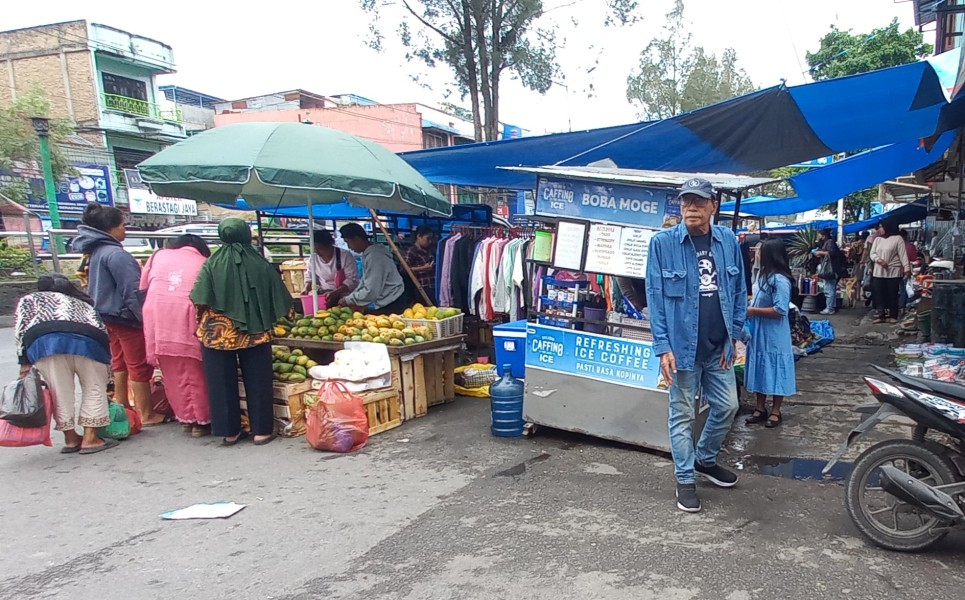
(616, 250)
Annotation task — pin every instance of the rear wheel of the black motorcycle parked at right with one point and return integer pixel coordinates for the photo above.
(884, 519)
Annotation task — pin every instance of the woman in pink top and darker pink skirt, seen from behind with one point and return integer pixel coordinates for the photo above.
(169, 329)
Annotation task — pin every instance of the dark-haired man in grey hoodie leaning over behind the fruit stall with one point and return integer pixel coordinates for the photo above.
(381, 285)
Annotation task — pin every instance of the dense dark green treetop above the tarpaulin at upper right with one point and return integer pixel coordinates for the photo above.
(844, 53)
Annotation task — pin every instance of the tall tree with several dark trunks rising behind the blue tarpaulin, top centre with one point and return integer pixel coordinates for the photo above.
(481, 41)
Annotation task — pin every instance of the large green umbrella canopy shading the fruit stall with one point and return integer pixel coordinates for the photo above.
(289, 164)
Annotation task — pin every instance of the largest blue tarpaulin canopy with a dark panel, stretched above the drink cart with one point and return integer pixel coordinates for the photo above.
(770, 128)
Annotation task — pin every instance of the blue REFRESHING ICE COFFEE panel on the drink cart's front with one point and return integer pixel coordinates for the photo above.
(604, 358)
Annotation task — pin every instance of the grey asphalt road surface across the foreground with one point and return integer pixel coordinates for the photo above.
(435, 509)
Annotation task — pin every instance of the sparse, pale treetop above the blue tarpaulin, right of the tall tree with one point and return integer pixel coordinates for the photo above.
(674, 77)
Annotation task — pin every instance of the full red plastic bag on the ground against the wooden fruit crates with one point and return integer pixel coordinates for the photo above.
(337, 422)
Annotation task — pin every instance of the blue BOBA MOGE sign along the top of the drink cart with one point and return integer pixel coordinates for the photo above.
(650, 207)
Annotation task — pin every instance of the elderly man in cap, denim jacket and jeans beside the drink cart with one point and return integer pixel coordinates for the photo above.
(698, 301)
